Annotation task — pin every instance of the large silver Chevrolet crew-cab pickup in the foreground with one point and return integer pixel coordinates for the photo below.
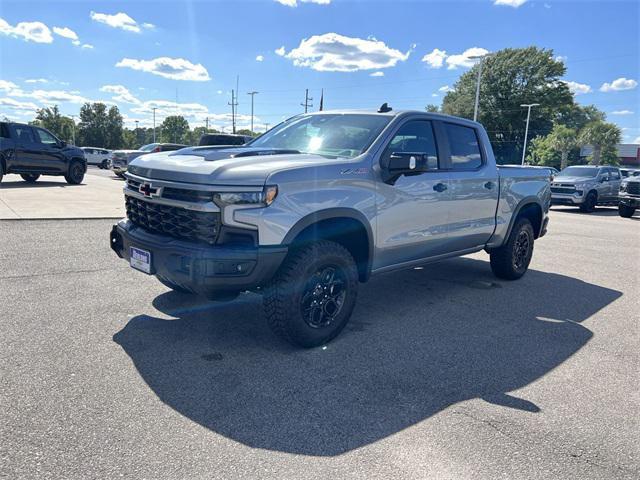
(321, 202)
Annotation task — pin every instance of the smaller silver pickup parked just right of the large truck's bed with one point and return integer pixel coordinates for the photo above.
(586, 186)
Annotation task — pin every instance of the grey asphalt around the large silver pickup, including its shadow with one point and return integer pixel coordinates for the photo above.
(443, 372)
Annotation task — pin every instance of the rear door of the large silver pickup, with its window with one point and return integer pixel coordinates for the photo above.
(474, 185)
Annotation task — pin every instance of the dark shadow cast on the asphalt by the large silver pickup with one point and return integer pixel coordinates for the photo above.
(419, 342)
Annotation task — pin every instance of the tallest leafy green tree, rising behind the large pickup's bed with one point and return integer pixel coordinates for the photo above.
(512, 77)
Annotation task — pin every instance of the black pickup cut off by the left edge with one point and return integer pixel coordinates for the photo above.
(33, 151)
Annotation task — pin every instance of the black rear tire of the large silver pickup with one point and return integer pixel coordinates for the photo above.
(505, 260)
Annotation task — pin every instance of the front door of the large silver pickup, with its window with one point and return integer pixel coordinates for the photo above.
(413, 210)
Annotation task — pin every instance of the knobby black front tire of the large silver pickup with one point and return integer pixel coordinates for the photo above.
(283, 297)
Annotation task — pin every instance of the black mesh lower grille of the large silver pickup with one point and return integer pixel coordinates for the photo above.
(174, 221)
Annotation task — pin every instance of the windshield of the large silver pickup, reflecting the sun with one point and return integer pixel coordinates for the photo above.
(332, 135)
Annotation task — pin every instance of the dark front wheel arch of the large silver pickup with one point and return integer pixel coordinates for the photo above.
(345, 226)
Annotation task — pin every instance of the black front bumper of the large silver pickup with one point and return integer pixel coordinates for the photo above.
(202, 269)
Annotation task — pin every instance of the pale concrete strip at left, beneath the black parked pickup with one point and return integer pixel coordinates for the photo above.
(99, 196)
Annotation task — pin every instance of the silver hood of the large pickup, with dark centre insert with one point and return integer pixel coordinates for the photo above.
(226, 165)
